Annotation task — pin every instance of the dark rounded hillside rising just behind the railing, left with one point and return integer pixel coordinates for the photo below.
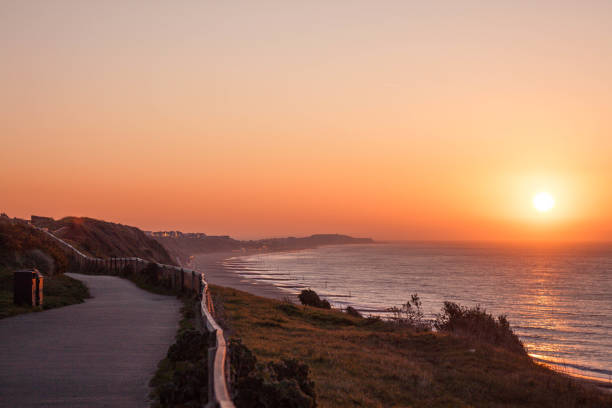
(105, 239)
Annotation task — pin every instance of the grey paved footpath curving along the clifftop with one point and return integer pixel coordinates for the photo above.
(101, 353)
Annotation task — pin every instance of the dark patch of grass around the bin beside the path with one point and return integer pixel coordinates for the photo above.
(59, 290)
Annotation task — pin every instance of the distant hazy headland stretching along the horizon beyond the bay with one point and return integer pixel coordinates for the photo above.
(185, 244)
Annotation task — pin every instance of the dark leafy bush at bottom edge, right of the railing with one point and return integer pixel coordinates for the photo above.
(275, 384)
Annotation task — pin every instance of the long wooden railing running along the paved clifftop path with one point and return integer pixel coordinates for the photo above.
(218, 395)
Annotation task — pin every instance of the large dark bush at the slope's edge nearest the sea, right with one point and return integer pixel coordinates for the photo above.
(475, 323)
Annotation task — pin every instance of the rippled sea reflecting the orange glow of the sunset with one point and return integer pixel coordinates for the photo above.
(558, 298)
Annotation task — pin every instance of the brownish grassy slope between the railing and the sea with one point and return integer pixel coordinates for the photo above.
(356, 362)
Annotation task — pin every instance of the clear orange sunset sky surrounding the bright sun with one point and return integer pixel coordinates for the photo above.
(396, 120)
